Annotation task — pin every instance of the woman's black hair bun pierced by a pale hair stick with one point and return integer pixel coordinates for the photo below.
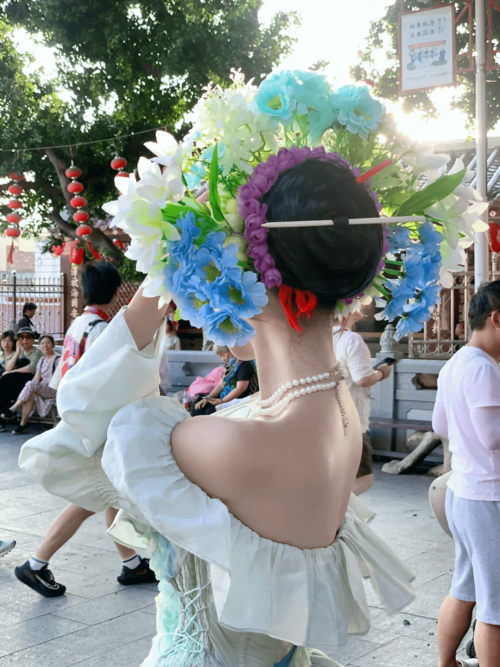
(335, 262)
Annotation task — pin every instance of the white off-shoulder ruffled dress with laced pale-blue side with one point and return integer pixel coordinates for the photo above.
(228, 597)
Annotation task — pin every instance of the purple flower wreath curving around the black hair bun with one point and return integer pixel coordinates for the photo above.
(254, 213)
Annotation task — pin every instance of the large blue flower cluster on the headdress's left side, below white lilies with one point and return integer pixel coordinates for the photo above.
(209, 287)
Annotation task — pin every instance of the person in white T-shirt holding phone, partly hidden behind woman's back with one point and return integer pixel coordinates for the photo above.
(353, 352)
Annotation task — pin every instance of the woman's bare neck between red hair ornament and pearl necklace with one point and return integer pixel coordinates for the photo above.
(282, 355)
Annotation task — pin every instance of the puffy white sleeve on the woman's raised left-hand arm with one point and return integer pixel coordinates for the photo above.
(112, 374)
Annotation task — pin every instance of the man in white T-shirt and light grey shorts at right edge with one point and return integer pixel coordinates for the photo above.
(467, 412)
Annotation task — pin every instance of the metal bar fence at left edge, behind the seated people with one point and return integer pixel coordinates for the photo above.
(46, 291)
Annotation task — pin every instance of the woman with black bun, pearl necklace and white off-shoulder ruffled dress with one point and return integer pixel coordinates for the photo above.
(248, 514)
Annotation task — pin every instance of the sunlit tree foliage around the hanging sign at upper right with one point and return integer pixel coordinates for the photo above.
(383, 41)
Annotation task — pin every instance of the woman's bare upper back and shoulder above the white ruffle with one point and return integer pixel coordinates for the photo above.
(288, 478)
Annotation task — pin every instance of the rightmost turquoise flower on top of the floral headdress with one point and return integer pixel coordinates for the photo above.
(358, 111)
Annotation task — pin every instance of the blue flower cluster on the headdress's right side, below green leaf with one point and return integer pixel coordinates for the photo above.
(420, 282)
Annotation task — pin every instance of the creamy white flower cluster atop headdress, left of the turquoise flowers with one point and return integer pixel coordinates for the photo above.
(230, 117)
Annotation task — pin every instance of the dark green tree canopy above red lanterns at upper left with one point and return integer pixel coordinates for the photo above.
(122, 66)
